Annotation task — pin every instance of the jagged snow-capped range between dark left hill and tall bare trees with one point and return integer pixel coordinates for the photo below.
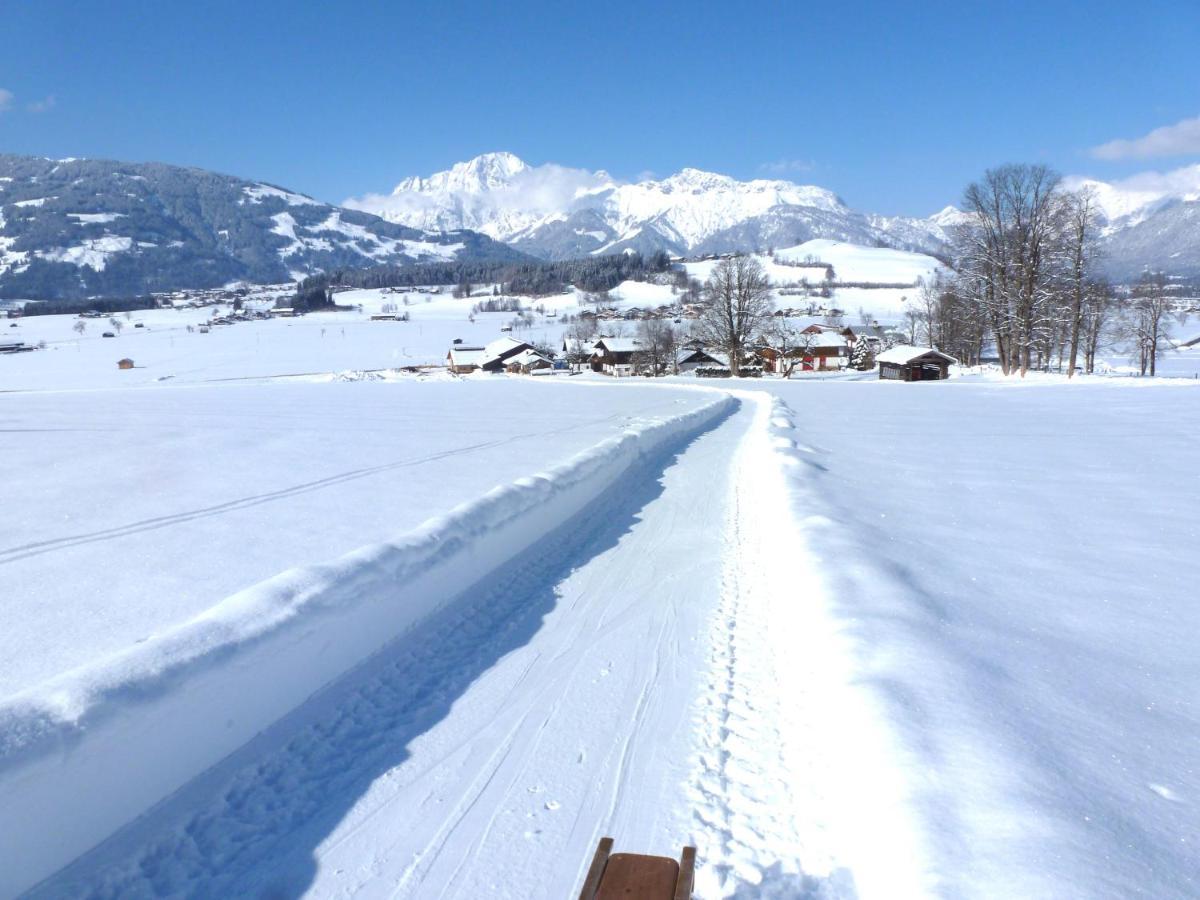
(557, 213)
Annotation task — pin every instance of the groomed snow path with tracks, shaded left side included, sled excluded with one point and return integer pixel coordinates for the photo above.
(625, 679)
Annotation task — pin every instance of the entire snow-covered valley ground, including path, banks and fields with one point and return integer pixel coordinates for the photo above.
(281, 620)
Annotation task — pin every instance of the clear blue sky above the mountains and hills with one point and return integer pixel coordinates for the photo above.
(893, 106)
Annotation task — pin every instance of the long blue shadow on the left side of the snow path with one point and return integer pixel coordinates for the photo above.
(251, 825)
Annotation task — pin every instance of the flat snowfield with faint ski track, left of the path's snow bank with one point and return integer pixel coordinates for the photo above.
(147, 499)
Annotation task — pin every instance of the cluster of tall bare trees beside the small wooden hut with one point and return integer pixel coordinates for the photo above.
(1027, 280)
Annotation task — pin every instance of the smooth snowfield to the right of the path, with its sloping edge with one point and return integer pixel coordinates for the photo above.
(1017, 568)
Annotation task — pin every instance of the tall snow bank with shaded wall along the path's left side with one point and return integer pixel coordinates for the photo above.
(87, 753)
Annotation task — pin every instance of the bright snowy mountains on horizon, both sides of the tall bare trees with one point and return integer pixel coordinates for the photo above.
(559, 213)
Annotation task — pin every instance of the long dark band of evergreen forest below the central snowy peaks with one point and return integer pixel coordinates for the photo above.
(530, 279)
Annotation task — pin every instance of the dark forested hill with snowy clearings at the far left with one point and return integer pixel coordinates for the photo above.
(79, 229)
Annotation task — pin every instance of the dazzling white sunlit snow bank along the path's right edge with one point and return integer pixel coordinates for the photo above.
(859, 802)
